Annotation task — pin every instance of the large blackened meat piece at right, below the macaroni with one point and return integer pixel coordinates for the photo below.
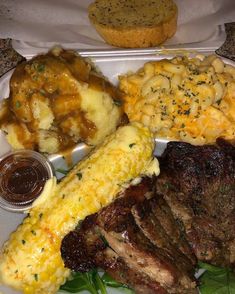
(198, 183)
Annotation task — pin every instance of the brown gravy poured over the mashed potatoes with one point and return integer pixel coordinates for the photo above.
(44, 78)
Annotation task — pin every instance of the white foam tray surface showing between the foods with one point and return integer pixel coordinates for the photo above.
(112, 64)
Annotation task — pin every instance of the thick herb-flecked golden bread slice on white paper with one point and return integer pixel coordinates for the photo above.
(134, 23)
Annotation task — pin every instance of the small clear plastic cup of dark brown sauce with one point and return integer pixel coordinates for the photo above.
(23, 175)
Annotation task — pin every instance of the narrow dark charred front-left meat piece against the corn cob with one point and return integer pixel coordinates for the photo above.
(84, 249)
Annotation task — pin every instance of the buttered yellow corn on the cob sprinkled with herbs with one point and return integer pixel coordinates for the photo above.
(30, 260)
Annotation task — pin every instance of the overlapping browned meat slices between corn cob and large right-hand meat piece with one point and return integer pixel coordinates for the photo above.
(138, 256)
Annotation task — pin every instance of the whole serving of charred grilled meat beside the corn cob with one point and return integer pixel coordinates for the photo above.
(151, 237)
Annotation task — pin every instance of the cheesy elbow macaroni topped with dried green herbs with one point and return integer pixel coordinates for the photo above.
(188, 99)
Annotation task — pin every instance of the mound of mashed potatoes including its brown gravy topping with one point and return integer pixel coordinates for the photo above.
(57, 100)
